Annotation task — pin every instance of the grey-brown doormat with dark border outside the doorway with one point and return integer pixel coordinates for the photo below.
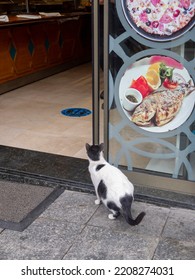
(21, 204)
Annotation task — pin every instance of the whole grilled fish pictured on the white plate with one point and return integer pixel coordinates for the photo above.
(162, 106)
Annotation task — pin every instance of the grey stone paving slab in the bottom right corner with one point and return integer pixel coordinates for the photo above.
(174, 249)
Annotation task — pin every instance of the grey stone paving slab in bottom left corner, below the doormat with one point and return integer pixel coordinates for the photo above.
(43, 239)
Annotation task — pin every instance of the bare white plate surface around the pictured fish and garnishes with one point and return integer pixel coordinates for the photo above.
(138, 70)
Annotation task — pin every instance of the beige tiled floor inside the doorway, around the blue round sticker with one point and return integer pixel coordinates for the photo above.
(30, 116)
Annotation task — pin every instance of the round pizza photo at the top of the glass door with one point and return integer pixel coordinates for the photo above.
(160, 19)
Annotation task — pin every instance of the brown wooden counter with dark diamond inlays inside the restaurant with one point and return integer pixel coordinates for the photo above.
(33, 47)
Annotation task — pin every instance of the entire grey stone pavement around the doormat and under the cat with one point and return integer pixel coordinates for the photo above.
(73, 227)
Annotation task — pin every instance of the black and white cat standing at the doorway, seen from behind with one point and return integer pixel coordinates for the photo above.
(112, 187)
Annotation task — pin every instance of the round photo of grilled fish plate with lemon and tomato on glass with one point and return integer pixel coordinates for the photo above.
(157, 93)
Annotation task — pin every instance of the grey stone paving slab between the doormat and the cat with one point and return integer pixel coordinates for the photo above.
(73, 207)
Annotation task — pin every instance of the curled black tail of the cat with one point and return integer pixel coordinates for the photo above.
(126, 203)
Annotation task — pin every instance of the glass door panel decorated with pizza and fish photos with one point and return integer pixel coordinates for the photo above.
(149, 80)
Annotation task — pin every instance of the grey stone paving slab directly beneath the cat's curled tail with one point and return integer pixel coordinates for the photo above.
(152, 224)
